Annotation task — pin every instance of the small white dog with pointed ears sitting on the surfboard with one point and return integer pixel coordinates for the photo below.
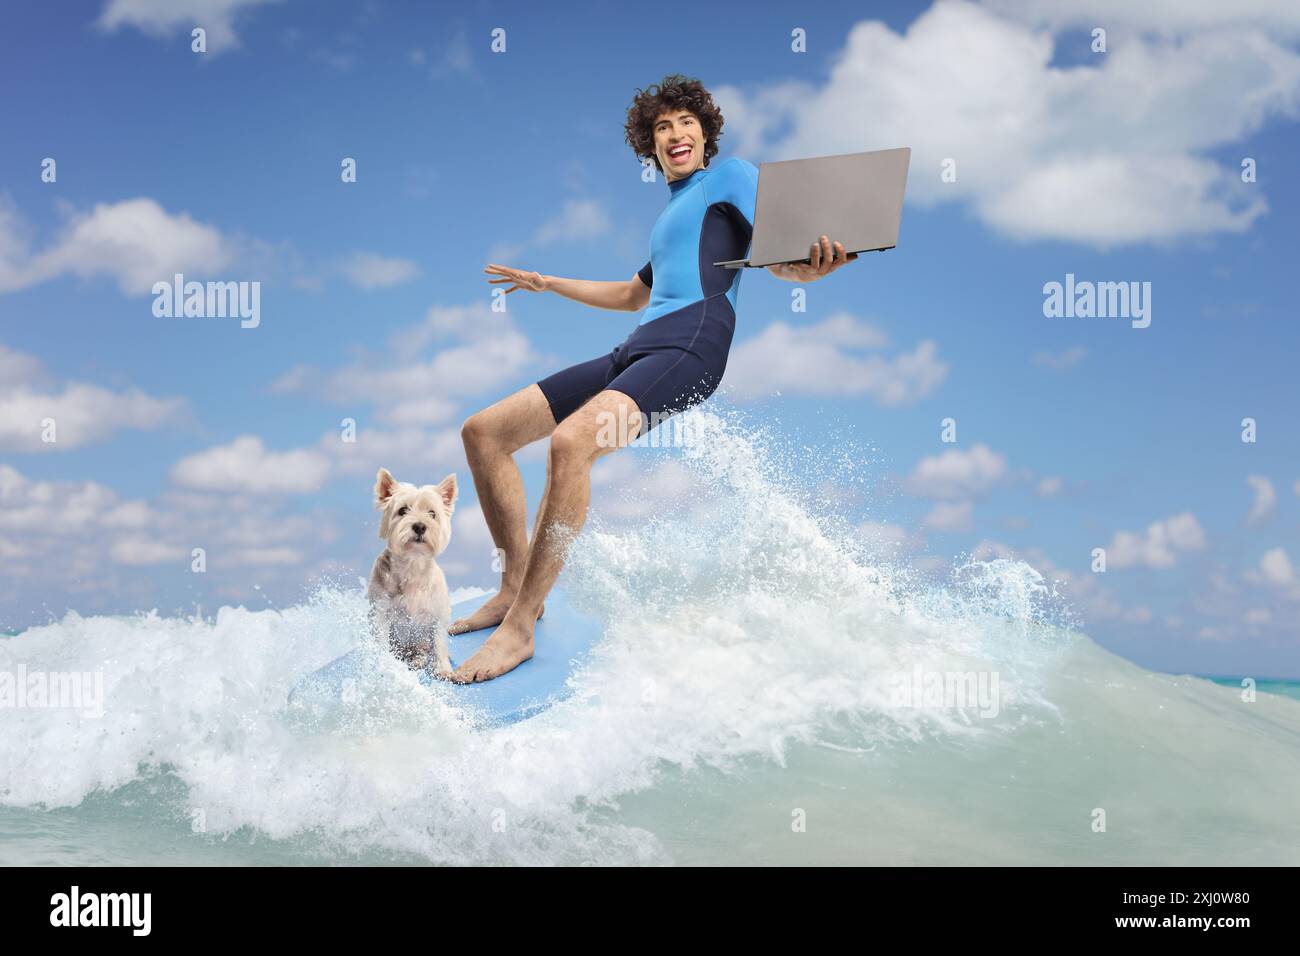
(410, 607)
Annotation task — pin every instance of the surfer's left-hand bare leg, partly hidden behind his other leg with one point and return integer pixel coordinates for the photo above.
(492, 438)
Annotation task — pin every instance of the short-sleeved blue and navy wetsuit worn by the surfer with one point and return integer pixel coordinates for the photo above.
(677, 357)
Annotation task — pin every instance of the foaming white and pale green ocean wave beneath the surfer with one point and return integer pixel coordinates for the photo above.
(759, 660)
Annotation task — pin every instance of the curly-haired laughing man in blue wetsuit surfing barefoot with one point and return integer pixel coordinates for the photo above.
(674, 360)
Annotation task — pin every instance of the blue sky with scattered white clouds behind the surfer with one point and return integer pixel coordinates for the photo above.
(1072, 434)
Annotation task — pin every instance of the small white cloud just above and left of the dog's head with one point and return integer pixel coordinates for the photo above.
(248, 466)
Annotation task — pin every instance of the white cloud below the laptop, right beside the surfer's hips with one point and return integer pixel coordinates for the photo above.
(829, 358)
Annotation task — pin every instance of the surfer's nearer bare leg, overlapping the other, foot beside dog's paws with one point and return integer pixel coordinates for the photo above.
(605, 425)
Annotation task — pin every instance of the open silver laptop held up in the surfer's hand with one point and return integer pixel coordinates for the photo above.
(855, 198)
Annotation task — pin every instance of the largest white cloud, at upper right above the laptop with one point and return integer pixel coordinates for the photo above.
(1110, 153)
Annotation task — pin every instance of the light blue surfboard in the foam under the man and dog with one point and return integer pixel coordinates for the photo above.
(562, 642)
